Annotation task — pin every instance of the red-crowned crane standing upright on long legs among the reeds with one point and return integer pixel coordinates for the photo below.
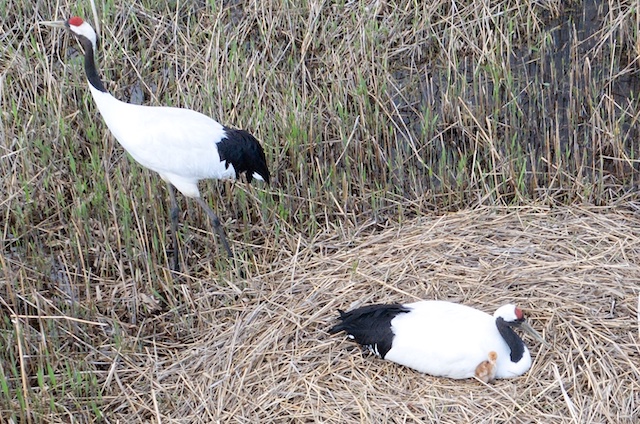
(182, 145)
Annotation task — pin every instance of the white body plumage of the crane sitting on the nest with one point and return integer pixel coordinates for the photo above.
(451, 340)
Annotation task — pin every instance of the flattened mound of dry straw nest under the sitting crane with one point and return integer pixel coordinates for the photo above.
(262, 353)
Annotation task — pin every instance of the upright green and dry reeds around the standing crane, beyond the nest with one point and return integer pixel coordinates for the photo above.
(370, 112)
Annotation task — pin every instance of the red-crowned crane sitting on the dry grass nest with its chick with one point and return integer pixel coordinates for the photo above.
(443, 338)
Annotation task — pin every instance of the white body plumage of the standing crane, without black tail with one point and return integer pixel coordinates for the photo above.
(181, 147)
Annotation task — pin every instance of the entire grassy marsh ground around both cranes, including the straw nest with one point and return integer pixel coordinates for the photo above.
(482, 152)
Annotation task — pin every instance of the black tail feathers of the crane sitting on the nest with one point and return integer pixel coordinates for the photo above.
(370, 326)
